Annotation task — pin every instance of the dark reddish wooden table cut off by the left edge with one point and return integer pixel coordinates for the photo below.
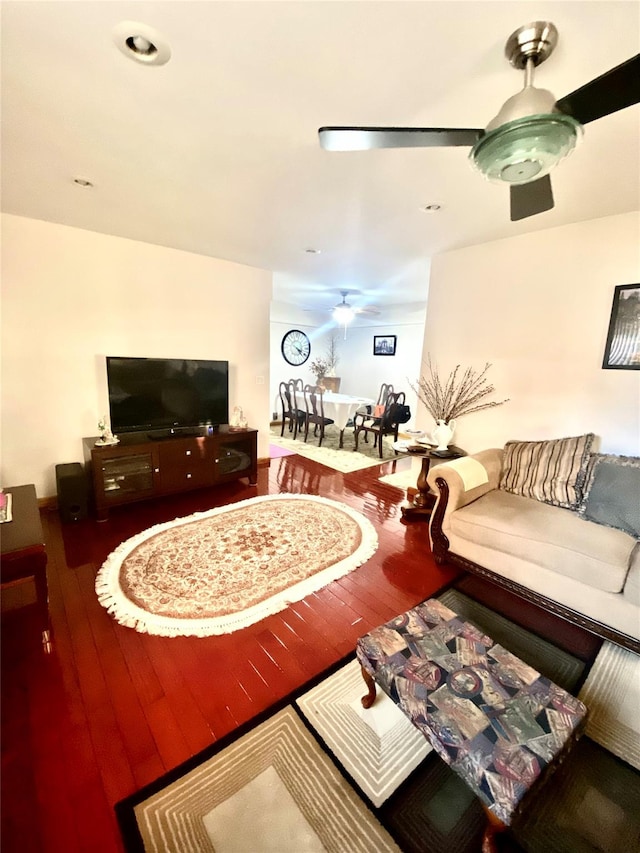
(23, 550)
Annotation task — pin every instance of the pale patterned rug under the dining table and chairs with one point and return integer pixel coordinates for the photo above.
(330, 454)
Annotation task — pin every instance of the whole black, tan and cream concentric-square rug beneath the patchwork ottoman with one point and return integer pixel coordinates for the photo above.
(320, 773)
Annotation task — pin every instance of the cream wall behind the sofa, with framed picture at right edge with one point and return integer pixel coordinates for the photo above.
(537, 307)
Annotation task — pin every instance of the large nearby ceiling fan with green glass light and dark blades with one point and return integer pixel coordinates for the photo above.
(532, 131)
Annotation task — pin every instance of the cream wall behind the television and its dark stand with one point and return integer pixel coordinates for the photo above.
(71, 297)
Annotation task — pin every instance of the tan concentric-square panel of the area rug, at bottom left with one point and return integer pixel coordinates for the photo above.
(274, 790)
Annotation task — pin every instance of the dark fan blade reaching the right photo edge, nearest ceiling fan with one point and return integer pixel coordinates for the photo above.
(612, 91)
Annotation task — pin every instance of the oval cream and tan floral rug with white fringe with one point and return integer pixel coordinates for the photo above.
(217, 571)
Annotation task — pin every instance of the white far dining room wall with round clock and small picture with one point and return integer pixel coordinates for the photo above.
(361, 372)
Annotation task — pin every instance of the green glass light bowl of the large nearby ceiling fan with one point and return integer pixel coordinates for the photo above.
(526, 149)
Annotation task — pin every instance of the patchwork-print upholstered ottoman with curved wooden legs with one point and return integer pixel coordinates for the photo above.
(496, 721)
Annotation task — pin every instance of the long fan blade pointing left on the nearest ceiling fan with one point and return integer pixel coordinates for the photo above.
(367, 138)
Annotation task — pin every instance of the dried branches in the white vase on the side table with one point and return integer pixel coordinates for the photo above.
(457, 395)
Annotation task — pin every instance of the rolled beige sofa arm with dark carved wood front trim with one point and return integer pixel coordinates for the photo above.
(458, 483)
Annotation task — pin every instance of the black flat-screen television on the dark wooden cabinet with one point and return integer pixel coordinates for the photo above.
(166, 393)
